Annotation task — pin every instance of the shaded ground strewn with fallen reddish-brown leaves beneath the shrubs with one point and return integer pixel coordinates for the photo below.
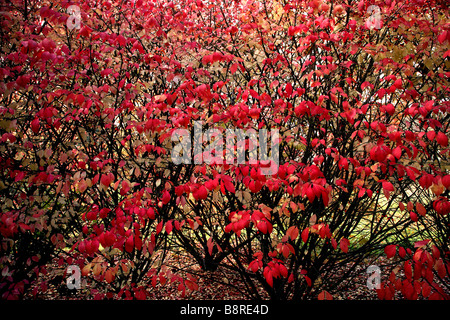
(217, 285)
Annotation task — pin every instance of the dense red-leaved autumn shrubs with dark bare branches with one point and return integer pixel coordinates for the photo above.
(88, 115)
